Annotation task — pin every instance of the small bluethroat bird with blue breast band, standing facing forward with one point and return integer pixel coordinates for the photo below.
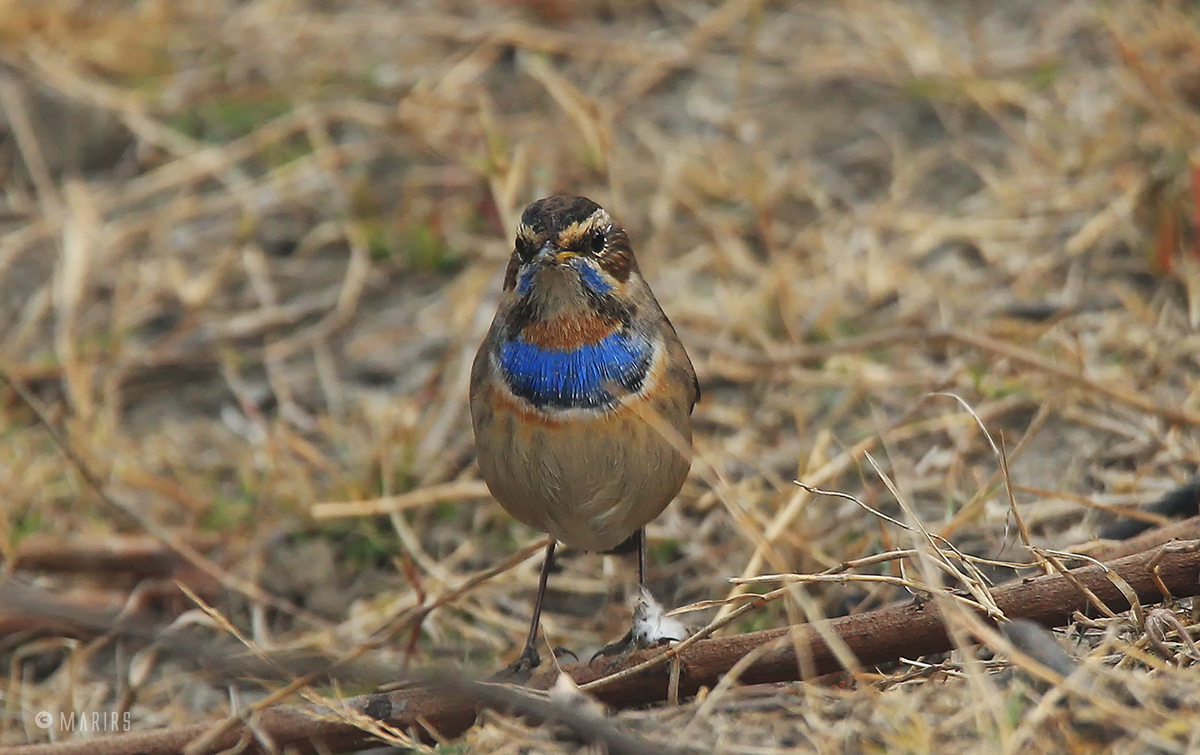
(581, 396)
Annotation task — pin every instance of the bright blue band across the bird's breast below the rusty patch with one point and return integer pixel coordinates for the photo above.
(578, 379)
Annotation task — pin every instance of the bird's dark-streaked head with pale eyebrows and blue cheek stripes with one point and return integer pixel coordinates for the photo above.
(569, 256)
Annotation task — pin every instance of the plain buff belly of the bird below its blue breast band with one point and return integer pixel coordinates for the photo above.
(592, 482)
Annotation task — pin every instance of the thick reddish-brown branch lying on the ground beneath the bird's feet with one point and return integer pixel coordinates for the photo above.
(878, 638)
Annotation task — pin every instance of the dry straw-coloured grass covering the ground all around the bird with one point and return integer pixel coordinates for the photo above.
(248, 253)
